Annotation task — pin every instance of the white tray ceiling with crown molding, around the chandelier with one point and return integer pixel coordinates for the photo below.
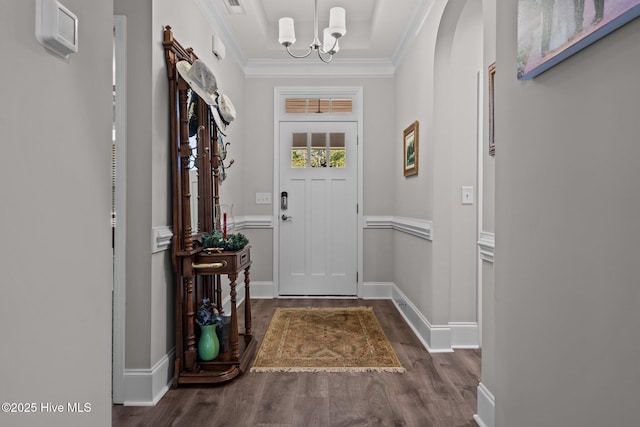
(377, 31)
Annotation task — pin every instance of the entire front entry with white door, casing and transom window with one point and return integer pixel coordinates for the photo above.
(318, 191)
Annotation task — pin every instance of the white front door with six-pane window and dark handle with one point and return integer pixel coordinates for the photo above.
(318, 220)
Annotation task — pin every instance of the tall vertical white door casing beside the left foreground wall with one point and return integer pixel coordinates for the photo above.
(120, 233)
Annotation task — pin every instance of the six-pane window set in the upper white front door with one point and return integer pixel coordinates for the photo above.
(318, 150)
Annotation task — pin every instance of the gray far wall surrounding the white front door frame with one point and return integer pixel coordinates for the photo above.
(378, 150)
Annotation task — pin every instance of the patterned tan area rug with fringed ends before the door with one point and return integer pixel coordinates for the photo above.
(325, 340)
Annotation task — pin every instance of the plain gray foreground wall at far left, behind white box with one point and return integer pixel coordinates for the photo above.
(55, 122)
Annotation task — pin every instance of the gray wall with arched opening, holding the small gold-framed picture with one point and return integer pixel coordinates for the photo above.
(436, 84)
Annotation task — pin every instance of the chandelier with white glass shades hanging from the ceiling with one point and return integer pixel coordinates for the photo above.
(337, 28)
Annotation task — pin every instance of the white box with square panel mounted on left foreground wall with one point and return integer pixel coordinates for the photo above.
(56, 27)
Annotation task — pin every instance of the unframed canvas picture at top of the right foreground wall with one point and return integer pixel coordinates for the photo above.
(550, 31)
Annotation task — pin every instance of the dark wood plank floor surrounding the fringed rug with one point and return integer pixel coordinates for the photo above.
(436, 390)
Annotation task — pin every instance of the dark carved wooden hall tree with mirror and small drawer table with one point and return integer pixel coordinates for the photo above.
(195, 162)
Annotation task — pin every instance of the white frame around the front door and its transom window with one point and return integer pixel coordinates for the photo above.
(279, 95)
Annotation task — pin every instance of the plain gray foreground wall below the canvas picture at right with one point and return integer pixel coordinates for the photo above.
(567, 291)
